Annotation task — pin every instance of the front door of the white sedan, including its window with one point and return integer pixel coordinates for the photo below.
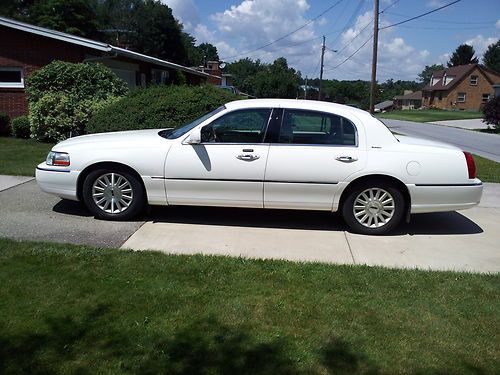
(227, 168)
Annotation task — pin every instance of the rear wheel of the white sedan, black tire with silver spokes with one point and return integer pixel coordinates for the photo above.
(375, 217)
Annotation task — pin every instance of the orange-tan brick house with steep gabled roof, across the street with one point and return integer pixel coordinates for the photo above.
(463, 87)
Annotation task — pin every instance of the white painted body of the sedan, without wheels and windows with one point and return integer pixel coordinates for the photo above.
(271, 175)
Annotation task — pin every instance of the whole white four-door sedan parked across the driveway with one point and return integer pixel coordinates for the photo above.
(267, 153)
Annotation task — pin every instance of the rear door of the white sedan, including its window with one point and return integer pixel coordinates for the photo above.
(314, 151)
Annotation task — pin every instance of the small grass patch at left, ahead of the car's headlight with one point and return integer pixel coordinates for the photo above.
(19, 157)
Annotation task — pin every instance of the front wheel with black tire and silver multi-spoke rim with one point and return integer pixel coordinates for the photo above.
(132, 194)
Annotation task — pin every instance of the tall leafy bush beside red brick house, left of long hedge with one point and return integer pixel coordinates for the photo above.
(63, 96)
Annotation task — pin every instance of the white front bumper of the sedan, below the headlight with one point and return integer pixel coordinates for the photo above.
(57, 181)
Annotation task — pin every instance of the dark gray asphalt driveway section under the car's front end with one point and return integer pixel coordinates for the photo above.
(26, 213)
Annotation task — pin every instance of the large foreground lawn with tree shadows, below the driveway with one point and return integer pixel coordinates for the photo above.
(73, 309)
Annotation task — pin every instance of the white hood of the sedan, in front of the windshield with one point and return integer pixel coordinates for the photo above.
(137, 137)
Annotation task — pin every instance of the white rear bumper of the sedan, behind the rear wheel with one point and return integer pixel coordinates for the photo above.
(440, 198)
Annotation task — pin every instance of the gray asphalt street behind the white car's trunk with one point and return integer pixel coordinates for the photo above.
(482, 144)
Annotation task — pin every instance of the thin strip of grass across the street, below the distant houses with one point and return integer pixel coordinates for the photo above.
(429, 115)
